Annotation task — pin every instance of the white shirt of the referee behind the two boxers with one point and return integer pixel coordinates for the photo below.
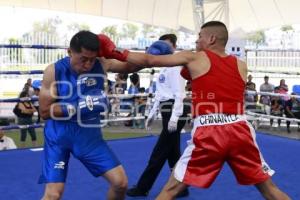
(170, 85)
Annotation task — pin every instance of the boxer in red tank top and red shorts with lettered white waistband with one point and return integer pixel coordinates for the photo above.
(221, 132)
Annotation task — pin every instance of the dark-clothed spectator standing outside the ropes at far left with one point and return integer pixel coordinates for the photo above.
(26, 110)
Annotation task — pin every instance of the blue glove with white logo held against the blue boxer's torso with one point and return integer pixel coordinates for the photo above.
(89, 105)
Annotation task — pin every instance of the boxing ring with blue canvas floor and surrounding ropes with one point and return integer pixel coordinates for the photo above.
(21, 168)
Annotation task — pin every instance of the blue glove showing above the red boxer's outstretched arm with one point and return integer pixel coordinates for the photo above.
(160, 47)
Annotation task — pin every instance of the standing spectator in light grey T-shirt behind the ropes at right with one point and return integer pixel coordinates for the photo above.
(265, 100)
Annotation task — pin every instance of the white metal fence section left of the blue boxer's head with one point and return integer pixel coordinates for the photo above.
(31, 52)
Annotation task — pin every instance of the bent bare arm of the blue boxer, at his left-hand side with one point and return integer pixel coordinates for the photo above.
(47, 95)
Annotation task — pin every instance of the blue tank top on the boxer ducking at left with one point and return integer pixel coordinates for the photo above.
(70, 85)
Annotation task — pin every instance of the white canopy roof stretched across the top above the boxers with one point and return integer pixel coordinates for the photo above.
(186, 15)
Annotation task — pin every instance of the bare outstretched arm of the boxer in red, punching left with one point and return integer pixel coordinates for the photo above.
(142, 59)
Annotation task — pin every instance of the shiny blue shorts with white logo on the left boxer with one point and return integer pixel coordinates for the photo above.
(85, 144)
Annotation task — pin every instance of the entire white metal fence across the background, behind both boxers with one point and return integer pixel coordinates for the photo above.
(38, 50)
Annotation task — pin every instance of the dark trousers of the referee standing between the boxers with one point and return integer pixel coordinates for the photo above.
(167, 148)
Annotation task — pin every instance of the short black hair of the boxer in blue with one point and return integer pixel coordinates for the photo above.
(86, 40)
